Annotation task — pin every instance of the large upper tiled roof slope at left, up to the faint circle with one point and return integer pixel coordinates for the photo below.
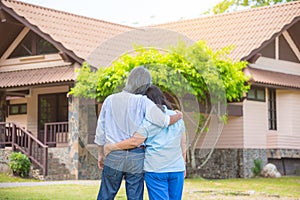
(76, 33)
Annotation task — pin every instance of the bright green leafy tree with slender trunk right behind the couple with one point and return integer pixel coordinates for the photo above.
(196, 70)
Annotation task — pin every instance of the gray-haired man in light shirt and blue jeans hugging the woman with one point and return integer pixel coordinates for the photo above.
(121, 115)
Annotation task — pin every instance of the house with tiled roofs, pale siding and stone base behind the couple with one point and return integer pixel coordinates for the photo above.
(41, 49)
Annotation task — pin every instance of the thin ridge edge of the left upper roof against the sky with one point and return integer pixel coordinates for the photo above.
(65, 12)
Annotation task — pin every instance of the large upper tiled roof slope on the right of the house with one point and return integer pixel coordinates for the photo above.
(247, 30)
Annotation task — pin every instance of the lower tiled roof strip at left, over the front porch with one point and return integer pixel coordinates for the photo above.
(37, 76)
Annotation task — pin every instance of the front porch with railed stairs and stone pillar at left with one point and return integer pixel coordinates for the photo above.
(62, 150)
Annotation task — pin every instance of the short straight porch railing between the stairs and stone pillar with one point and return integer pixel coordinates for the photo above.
(56, 133)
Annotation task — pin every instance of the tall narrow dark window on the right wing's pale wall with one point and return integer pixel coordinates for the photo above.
(272, 109)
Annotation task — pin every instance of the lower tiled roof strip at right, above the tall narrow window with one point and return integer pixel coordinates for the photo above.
(273, 78)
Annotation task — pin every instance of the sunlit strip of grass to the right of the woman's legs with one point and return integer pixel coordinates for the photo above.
(279, 187)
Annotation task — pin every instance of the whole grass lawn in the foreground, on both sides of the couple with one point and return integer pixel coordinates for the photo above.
(256, 188)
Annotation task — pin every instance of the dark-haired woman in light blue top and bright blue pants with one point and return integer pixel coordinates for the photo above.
(164, 163)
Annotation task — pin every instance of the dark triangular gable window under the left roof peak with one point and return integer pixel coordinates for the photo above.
(32, 45)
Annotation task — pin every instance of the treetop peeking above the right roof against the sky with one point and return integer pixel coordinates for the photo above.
(234, 5)
